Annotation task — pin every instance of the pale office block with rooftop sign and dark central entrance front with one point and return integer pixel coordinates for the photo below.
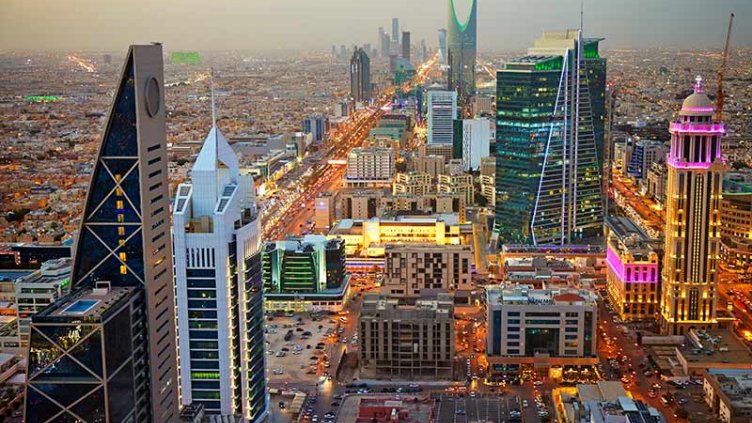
(549, 327)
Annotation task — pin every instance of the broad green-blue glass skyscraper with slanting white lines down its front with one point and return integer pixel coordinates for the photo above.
(547, 175)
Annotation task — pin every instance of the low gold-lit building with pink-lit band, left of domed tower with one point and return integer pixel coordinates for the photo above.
(633, 271)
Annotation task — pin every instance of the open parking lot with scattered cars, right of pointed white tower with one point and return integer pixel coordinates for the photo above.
(303, 356)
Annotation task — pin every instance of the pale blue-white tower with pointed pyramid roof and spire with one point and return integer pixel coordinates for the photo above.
(219, 291)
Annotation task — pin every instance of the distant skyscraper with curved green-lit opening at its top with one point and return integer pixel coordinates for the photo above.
(461, 52)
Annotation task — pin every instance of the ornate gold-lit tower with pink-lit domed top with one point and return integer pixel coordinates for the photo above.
(693, 202)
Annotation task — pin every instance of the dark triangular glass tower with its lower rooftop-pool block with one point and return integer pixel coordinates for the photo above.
(106, 351)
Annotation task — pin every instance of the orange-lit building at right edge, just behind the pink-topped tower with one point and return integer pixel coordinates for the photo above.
(736, 230)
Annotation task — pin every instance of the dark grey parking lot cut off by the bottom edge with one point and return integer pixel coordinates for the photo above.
(459, 409)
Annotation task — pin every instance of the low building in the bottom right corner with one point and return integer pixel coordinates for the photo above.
(727, 393)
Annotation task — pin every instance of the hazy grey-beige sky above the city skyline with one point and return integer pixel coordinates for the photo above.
(261, 25)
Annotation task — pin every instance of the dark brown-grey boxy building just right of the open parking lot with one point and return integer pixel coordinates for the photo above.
(406, 342)
